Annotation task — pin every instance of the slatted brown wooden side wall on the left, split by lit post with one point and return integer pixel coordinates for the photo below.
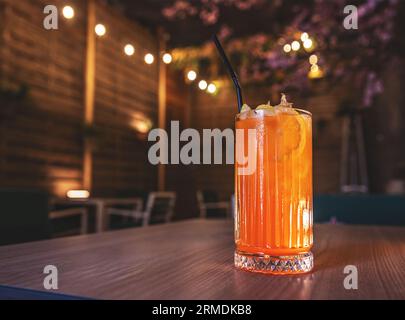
(41, 135)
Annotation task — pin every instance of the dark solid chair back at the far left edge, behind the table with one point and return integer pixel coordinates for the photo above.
(23, 216)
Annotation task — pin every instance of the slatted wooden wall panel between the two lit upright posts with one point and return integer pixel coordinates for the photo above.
(126, 89)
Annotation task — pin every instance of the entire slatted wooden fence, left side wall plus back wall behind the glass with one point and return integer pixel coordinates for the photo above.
(42, 134)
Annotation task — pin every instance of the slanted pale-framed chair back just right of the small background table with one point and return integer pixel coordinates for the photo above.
(159, 207)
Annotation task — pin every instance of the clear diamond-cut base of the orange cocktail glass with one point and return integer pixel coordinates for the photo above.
(296, 264)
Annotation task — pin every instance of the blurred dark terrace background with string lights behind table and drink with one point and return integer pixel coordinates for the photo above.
(77, 102)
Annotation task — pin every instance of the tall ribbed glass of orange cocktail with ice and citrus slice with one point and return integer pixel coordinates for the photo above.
(273, 225)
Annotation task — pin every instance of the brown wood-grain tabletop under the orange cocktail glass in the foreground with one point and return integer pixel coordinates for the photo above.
(194, 260)
